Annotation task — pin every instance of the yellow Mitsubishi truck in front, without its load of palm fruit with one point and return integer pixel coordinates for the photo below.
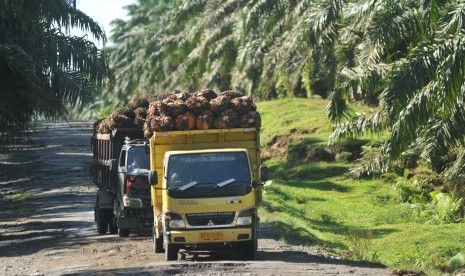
(206, 187)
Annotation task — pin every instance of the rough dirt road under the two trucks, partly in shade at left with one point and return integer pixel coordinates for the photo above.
(50, 229)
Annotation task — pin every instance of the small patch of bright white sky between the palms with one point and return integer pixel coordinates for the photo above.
(104, 11)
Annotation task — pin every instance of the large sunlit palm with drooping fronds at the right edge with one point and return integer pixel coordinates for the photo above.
(422, 91)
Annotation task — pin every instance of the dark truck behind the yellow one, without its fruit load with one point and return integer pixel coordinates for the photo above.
(123, 199)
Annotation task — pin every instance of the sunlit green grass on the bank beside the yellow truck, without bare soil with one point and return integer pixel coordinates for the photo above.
(312, 202)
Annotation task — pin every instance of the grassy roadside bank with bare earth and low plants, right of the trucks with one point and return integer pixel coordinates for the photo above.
(406, 220)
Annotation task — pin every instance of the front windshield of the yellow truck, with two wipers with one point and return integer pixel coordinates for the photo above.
(208, 175)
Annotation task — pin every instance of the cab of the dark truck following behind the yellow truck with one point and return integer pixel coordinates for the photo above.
(132, 206)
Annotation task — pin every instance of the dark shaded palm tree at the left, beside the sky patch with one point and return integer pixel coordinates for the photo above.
(42, 67)
